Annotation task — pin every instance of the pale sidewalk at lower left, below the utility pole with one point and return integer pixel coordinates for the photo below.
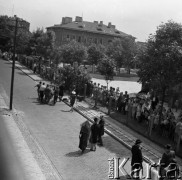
(27, 164)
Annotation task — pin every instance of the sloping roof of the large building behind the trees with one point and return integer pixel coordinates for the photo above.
(91, 27)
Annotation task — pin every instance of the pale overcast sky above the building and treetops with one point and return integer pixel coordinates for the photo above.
(138, 18)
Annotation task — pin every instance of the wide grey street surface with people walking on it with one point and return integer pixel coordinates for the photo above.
(57, 131)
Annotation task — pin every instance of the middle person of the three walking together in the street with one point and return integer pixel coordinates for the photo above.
(94, 134)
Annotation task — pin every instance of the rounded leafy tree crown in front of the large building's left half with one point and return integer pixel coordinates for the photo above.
(73, 52)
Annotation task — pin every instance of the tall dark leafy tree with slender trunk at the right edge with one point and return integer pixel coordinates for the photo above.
(161, 62)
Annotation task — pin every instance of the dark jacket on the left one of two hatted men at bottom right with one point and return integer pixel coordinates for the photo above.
(136, 155)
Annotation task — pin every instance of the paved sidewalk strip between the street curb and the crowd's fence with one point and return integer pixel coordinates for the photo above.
(117, 129)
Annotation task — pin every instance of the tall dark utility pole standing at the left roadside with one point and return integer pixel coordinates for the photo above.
(13, 64)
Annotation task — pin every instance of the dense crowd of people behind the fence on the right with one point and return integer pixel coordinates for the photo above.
(142, 108)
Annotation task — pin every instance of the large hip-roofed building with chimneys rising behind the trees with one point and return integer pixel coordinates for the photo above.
(85, 32)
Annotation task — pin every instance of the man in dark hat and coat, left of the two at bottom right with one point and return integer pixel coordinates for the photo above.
(137, 158)
